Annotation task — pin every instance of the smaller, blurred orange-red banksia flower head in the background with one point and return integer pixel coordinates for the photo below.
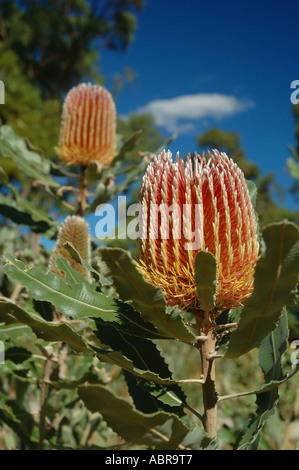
(88, 127)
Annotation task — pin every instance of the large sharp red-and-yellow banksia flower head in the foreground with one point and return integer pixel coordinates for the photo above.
(202, 204)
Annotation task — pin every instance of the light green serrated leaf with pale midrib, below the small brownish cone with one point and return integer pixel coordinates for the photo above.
(76, 301)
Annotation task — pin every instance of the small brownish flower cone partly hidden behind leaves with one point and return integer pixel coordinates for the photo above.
(76, 231)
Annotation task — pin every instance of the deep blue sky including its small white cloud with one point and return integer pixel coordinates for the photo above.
(227, 64)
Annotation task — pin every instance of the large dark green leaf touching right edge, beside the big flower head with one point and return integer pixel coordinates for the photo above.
(276, 277)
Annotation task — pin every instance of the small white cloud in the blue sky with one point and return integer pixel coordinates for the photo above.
(180, 114)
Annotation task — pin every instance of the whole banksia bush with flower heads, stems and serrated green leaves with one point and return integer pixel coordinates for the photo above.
(84, 365)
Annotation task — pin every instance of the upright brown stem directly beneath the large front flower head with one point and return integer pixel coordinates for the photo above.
(206, 327)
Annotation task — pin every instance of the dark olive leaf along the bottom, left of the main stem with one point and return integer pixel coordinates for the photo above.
(163, 431)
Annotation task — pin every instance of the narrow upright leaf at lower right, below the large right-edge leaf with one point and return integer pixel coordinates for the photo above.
(270, 355)
